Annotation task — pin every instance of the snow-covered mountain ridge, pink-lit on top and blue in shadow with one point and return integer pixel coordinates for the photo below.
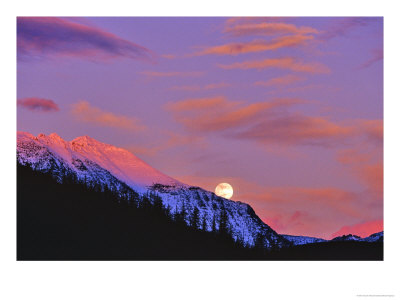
(100, 164)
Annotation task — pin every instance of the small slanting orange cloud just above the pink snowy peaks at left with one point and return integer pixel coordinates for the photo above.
(84, 112)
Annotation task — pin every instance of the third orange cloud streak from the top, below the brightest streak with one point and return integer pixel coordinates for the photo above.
(287, 63)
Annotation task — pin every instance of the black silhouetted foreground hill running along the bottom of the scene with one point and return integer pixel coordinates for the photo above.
(69, 221)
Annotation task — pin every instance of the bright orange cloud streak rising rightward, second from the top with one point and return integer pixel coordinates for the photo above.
(256, 46)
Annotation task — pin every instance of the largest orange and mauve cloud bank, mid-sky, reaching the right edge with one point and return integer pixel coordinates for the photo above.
(270, 122)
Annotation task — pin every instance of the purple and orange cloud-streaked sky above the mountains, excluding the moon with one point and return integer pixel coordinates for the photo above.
(289, 111)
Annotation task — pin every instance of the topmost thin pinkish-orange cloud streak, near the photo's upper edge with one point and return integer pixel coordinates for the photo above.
(268, 29)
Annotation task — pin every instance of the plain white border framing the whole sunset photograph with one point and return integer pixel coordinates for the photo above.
(198, 280)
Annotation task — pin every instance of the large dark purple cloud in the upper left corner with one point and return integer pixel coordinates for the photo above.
(56, 37)
